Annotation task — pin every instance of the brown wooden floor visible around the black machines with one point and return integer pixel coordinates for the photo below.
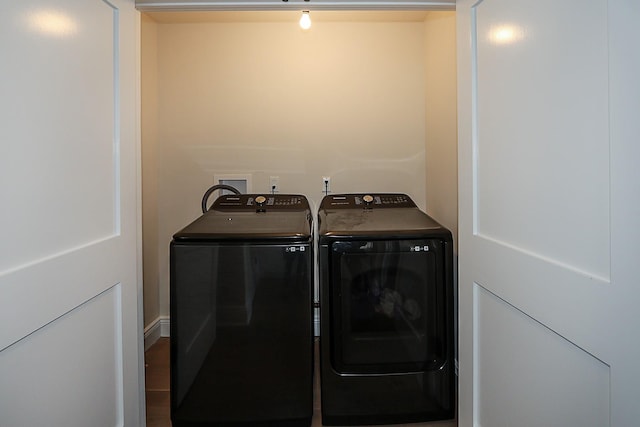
(157, 391)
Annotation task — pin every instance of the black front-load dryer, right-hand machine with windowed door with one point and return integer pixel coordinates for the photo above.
(386, 296)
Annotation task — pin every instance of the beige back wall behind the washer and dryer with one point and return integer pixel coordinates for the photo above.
(346, 100)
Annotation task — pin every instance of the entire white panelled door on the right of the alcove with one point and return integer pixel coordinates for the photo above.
(549, 212)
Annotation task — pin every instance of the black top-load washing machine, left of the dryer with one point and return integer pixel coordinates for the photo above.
(241, 314)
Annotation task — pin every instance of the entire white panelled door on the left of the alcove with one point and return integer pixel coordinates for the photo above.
(71, 335)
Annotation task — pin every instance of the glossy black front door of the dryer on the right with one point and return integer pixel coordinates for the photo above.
(388, 306)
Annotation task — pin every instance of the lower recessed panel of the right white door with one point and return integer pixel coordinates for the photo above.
(536, 377)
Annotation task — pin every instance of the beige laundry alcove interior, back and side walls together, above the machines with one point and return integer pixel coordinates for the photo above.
(367, 97)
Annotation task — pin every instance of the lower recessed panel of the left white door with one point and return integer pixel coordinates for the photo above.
(59, 374)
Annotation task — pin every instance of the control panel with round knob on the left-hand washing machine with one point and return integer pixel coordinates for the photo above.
(241, 202)
